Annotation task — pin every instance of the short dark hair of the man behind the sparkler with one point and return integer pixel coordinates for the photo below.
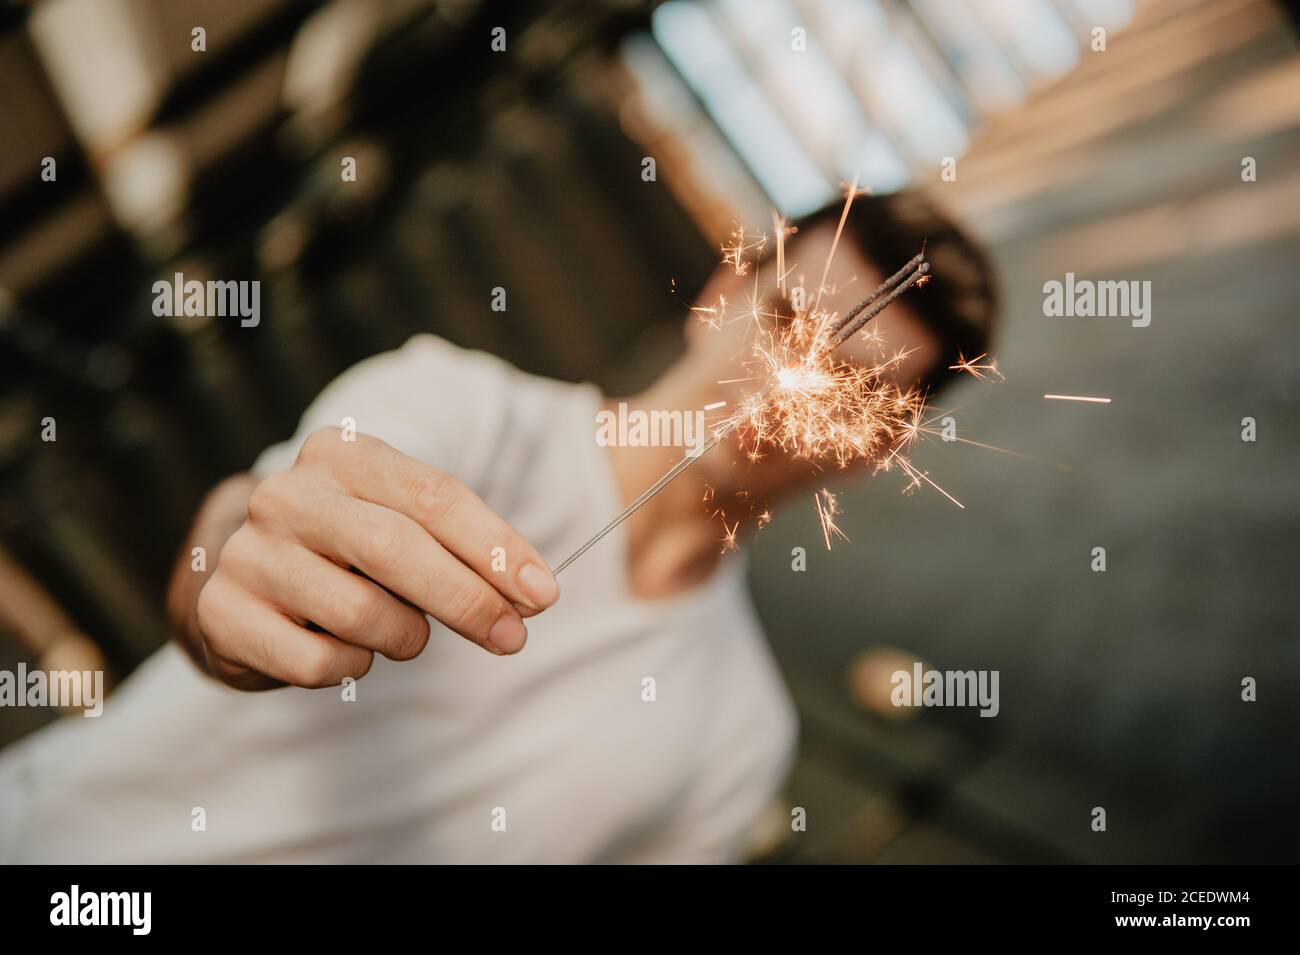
(960, 303)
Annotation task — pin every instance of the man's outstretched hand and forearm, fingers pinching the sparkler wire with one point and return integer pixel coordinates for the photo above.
(340, 558)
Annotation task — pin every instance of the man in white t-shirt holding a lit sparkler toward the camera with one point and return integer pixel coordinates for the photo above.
(409, 563)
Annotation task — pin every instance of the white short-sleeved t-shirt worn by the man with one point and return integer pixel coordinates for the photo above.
(458, 756)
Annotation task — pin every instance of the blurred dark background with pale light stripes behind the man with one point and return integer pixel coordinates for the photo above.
(525, 171)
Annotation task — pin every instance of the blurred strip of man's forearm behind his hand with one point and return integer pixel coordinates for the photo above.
(222, 514)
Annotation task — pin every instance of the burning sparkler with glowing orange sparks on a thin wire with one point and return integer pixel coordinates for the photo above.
(812, 405)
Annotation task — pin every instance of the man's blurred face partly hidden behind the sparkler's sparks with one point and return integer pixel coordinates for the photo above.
(850, 280)
